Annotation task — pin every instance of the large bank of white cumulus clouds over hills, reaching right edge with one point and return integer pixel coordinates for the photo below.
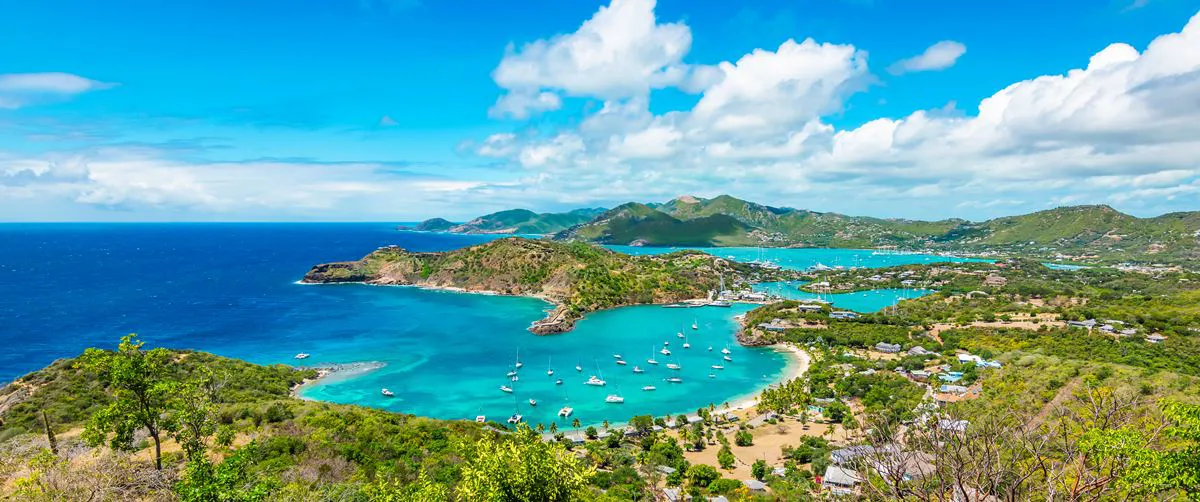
(1124, 128)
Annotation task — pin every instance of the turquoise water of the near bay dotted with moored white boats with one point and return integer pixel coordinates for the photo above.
(463, 379)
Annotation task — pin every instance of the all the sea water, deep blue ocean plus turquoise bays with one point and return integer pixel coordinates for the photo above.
(231, 289)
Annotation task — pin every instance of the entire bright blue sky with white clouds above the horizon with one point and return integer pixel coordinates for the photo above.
(405, 110)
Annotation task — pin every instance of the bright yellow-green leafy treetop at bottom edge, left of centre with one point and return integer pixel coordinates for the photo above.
(521, 468)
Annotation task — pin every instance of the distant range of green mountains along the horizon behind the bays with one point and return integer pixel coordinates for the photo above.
(1084, 234)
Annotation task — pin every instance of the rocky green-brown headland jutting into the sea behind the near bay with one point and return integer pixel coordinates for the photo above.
(575, 277)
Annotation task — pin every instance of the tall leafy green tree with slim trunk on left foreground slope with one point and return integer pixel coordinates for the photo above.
(141, 392)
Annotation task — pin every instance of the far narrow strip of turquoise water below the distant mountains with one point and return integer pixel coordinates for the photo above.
(808, 258)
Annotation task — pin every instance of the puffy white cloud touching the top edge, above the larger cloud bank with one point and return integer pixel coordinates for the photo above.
(621, 52)
